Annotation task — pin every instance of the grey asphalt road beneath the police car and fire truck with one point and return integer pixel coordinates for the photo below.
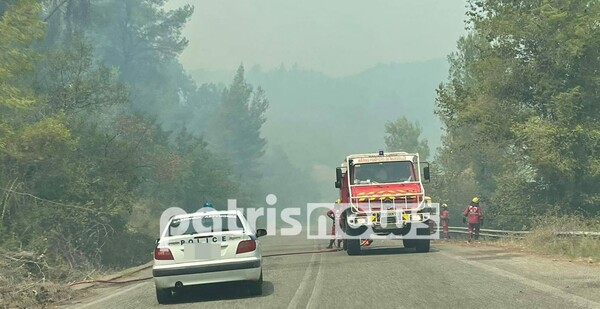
(452, 275)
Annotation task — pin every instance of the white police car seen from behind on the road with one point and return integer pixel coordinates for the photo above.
(207, 247)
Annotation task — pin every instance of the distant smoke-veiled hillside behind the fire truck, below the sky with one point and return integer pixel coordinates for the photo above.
(317, 120)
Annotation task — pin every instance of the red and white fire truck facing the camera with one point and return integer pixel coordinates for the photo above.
(383, 197)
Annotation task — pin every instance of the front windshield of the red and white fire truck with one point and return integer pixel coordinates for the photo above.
(383, 172)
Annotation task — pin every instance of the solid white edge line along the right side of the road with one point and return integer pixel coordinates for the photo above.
(578, 300)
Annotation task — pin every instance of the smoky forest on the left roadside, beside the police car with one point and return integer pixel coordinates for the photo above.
(101, 130)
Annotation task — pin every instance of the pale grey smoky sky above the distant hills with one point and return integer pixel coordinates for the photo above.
(336, 37)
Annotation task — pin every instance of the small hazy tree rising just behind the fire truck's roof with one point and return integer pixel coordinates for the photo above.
(402, 135)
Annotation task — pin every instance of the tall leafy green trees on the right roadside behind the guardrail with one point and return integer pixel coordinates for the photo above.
(520, 103)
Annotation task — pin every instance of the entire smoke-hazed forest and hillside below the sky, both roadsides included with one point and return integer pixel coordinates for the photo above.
(102, 128)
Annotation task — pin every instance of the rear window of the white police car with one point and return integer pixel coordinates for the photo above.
(209, 223)
